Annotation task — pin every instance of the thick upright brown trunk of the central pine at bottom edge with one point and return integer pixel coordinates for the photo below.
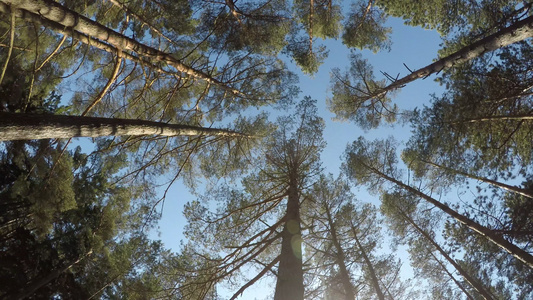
(289, 285)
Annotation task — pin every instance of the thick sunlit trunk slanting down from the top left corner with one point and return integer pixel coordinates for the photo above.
(55, 12)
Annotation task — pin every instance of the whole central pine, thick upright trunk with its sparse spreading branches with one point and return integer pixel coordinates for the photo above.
(260, 223)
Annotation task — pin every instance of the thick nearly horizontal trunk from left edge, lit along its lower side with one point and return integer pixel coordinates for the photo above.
(33, 126)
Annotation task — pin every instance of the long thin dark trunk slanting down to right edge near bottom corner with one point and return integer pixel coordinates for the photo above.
(496, 239)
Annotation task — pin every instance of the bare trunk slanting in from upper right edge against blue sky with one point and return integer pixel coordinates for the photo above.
(517, 32)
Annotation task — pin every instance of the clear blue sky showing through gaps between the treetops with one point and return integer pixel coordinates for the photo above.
(413, 46)
